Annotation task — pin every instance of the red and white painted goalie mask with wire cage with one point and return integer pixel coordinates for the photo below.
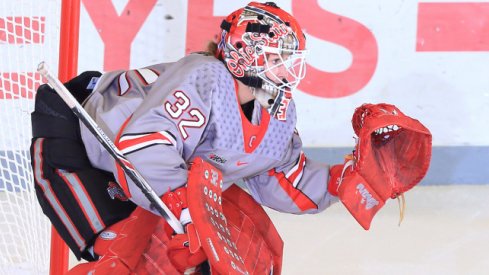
(264, 48)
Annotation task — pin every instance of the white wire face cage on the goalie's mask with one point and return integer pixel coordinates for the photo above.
(292, 60)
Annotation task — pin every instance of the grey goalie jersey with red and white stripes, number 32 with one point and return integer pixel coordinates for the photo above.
(163, 116)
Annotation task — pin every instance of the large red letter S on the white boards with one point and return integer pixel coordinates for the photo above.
(343, 31)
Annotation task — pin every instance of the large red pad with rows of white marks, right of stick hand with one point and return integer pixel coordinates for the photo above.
(235, 232)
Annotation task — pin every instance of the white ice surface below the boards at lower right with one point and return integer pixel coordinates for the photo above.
(445, 231)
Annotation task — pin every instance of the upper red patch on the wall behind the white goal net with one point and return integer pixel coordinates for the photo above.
(22, 29)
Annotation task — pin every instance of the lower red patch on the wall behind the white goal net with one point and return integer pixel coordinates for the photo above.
(19, 85)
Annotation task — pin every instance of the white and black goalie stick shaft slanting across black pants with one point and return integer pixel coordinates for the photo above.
(124, 163)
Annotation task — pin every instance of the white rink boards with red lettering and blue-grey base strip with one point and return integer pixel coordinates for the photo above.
(429, 58)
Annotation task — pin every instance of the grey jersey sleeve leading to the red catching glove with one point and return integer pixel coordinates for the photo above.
(298, 185)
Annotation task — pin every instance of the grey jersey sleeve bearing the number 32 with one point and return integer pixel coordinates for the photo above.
(159, 138)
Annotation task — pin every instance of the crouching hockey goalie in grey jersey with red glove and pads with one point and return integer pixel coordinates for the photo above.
(193, 129)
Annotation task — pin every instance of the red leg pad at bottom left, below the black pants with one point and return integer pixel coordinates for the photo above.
(136, 245)
